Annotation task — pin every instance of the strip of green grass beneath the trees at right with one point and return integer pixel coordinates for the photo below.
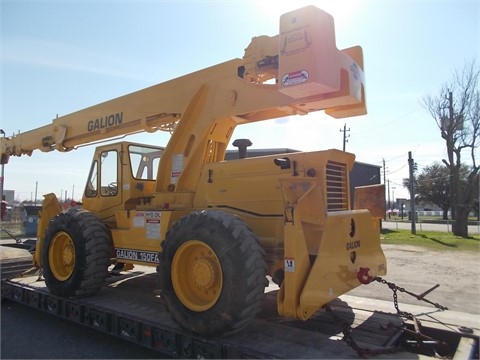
(431, 240)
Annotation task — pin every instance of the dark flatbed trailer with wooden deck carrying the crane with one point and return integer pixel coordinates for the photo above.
(130, 308)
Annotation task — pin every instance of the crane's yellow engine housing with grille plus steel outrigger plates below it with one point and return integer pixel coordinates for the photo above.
(321, 252)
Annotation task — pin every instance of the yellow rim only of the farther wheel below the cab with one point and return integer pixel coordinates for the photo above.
(61, 256)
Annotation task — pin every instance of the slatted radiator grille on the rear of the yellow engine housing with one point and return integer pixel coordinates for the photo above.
(336, 186)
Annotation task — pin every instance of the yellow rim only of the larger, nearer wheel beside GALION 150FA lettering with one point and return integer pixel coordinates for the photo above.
(197, 275)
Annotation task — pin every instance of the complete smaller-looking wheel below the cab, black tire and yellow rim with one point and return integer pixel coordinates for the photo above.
(76, 254)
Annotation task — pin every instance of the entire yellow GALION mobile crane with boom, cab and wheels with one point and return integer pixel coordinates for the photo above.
(216, 229)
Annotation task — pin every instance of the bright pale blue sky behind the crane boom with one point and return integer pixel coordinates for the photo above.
(61, 56)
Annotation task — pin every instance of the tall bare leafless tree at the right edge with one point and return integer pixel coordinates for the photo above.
(456, 111)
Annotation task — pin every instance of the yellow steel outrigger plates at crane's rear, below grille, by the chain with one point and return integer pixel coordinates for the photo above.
(336, 266)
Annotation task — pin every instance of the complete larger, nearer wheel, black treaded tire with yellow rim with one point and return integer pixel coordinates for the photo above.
(212, 273)
